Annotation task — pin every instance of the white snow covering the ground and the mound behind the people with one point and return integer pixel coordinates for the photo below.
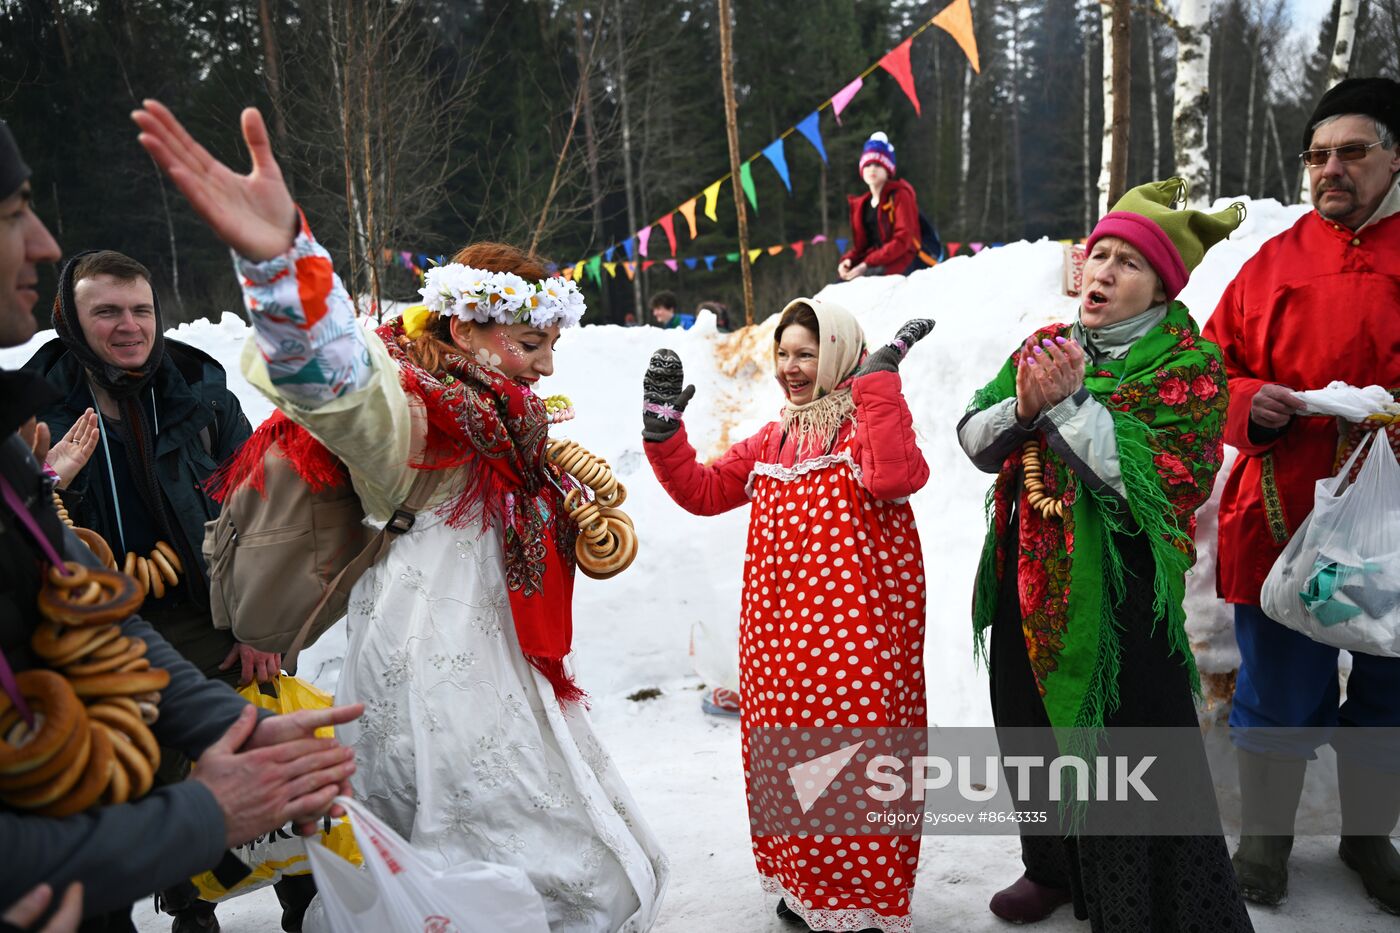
(635, 631)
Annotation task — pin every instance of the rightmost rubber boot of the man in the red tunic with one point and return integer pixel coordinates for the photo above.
(1370, 810)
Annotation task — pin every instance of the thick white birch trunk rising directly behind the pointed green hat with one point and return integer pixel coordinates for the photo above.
(1192, 99)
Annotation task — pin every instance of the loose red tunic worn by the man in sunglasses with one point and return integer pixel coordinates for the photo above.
(1317, 303)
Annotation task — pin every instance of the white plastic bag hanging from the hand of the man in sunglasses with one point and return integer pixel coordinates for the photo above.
(1339, 579)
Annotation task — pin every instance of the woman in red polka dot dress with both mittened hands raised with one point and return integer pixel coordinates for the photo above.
(832, 618)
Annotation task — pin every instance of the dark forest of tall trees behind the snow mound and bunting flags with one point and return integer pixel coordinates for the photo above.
(423, 125)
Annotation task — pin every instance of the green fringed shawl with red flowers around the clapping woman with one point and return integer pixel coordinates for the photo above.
(1168, 400)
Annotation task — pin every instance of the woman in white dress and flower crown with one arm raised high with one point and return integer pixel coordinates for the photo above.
(474, 743)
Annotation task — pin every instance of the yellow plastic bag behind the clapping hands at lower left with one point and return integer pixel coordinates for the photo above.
(282, 852)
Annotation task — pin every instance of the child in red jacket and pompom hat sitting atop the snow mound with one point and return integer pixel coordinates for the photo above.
(888, 233)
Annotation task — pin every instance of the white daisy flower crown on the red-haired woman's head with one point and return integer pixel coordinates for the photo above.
(502, 298)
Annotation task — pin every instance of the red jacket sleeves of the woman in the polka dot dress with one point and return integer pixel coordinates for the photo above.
(891, 464)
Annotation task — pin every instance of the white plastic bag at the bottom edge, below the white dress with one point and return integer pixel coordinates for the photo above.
(400, 892)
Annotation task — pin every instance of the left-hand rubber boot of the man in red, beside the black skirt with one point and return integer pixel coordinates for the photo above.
(1269, 792)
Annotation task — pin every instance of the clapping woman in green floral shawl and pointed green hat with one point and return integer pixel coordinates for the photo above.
(1105, 436)
